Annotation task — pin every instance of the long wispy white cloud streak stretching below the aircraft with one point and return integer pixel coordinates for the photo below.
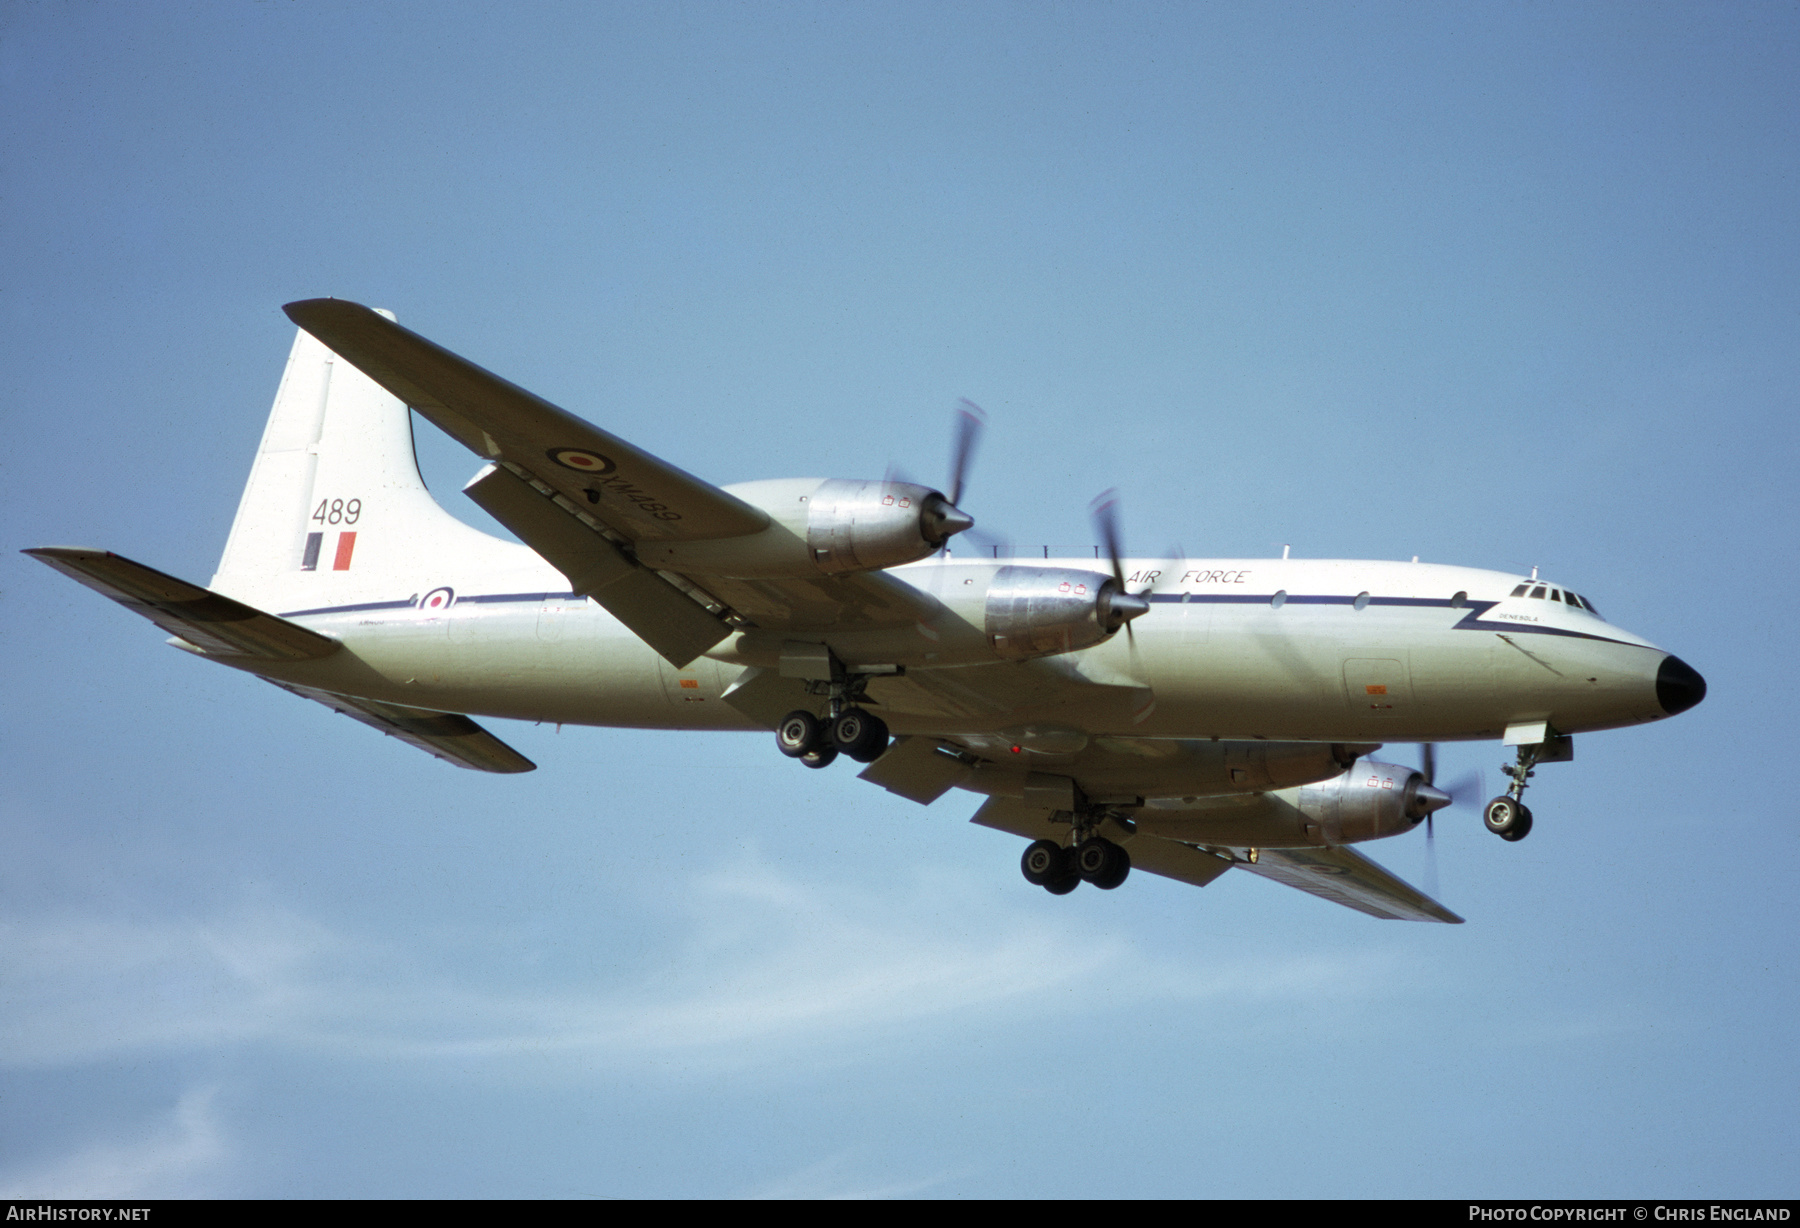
(755, 966)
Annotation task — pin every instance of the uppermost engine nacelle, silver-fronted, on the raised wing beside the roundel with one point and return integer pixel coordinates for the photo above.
(822, 527)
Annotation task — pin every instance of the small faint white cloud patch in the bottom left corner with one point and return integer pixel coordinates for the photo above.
(179, 1155)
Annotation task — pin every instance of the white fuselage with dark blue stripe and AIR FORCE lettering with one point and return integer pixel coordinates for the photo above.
(1434, 653)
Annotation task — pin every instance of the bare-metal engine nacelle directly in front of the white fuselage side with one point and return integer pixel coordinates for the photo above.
(1041, 611)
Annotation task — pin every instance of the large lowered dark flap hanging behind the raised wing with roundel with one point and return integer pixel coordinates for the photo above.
(654, 609)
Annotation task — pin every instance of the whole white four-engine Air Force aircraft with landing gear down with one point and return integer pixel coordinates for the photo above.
(1230, 725)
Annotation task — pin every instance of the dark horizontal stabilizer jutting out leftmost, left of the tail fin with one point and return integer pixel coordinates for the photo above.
(210, 622)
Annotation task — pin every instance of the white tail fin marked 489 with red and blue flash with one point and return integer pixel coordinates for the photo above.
(336, 503)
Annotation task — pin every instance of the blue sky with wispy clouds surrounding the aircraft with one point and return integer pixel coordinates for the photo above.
(1495, 285)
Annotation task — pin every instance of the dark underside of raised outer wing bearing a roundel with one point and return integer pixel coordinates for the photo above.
(638, 494)
